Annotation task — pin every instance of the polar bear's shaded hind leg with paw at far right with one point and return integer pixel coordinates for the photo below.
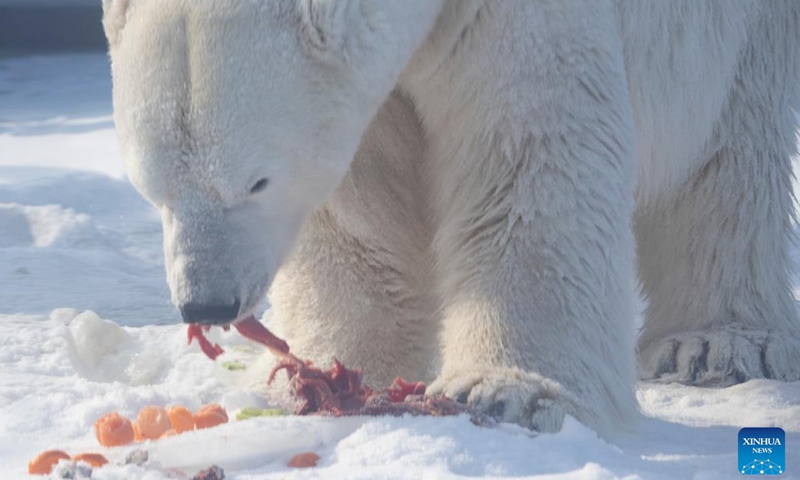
(713, 256)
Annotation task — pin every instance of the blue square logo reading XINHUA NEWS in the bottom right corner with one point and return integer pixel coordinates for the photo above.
(762, 451)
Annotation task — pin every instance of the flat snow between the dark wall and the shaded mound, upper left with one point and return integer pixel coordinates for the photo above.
(56, 112)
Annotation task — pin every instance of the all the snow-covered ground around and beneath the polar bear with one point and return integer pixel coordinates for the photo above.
(87, 328)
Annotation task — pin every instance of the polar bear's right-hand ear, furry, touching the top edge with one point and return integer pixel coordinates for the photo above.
(324, 26)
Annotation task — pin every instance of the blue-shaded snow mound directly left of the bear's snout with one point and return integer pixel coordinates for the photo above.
(81, 240)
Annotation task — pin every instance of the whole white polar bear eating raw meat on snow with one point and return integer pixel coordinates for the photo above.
(466, 191)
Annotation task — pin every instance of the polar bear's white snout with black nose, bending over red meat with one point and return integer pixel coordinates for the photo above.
(218, 260)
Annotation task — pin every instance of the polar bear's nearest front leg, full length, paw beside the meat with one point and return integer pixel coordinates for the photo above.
(531, 160)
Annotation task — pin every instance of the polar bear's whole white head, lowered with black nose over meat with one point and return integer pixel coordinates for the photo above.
(237, 120)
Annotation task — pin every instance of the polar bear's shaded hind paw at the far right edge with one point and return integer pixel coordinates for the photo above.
(721, 357)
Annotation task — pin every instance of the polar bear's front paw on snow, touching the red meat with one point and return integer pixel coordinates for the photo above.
(508, 395)
